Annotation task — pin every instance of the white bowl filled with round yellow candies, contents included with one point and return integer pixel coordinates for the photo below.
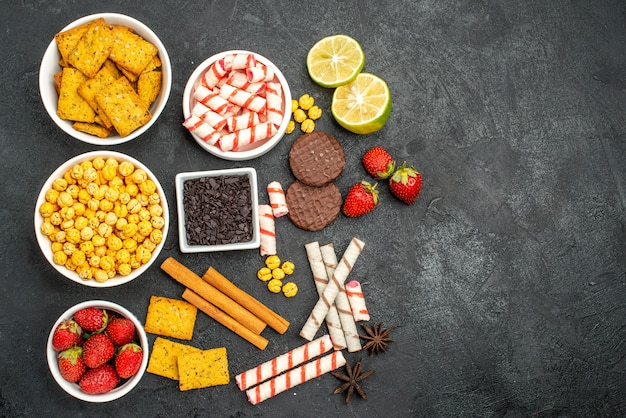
(101, 219)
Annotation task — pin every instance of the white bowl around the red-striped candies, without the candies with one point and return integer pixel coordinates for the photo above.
(255, 149)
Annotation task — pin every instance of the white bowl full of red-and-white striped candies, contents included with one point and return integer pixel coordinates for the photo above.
(237, 105)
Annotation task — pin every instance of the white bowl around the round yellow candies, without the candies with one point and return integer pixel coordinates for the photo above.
(44, 241)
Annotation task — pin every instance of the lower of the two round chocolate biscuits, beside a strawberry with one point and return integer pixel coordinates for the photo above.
(312, 208)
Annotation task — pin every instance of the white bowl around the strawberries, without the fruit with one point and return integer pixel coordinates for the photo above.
(73, 388)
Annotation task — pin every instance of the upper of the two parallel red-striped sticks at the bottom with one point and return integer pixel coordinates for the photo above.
(284, 362)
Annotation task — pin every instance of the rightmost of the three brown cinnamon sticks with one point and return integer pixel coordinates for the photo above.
(271, 318)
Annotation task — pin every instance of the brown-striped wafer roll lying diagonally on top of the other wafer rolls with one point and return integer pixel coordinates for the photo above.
(325, 301)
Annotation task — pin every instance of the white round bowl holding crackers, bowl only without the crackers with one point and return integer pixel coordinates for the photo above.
(50, 66)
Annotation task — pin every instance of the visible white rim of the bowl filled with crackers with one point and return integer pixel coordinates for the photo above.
(45, 80)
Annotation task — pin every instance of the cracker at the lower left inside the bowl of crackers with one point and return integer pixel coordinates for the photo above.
(70, 105)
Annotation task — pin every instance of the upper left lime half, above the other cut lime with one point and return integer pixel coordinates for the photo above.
(335, 60)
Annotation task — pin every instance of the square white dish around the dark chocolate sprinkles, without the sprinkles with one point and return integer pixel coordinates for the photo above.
(181, 178)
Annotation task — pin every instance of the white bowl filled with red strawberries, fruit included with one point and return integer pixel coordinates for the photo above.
(97, 351)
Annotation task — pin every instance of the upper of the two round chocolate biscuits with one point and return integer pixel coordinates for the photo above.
(316, 158)
